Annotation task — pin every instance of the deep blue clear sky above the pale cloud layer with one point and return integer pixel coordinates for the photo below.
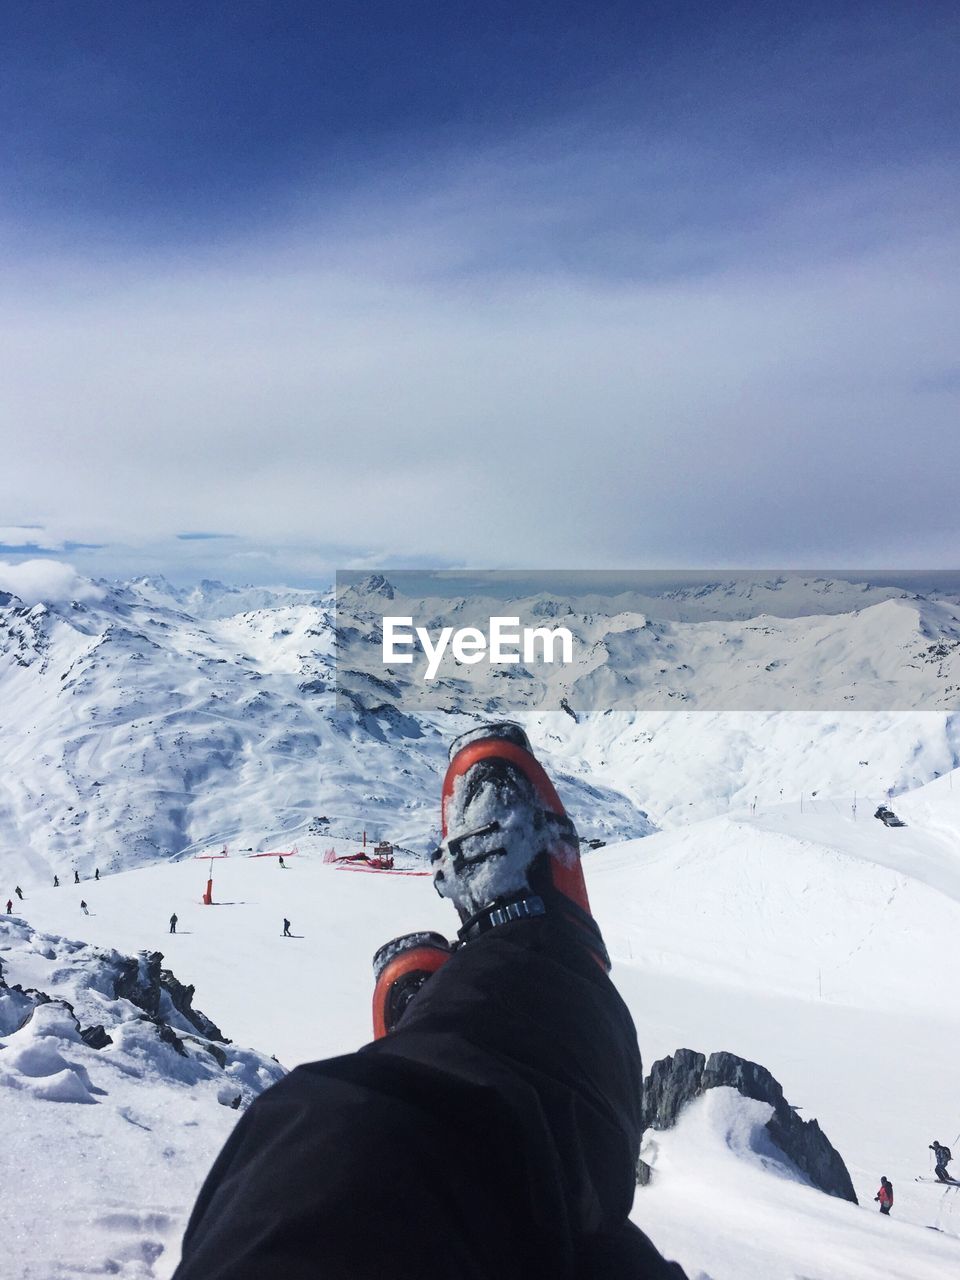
(171, 124)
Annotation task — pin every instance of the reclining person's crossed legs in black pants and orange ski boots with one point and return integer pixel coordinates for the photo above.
(502, 1107)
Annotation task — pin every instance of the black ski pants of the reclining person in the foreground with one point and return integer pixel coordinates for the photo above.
(493, 1135)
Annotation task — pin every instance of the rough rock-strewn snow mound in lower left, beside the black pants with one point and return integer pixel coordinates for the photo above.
(103, 1150)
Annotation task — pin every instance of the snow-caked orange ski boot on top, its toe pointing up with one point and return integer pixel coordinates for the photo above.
(509, 849)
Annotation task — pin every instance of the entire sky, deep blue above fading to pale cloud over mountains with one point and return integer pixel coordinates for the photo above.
(287, 289)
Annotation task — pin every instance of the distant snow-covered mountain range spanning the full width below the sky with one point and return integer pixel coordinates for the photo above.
(144, 721)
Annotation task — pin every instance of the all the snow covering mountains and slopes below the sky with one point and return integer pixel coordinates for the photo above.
(772, 916)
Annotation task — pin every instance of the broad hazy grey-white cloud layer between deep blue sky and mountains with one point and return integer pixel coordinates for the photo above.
(491, 368)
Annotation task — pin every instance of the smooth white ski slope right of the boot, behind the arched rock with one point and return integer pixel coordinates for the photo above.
(812, 944)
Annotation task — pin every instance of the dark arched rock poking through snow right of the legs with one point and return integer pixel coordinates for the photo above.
(685, 1076)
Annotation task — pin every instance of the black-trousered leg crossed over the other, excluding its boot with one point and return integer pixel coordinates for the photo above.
(529, 1013)
